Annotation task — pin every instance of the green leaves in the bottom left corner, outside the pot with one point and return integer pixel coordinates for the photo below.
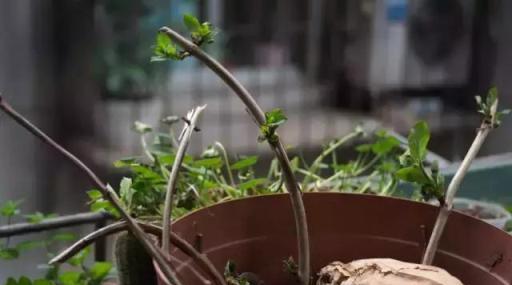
(78, 271)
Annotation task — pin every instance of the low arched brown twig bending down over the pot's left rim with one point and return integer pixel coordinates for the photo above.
(201, 260)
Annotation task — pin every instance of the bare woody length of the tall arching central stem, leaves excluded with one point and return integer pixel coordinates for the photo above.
(259, 116)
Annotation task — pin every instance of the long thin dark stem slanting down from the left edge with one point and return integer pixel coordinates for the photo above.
(105, 189)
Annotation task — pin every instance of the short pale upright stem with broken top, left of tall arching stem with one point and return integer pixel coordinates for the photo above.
(188, 129)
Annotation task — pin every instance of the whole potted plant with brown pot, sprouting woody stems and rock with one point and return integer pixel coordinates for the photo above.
(258, 233)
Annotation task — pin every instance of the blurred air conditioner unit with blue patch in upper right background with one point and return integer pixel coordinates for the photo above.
(419, 44)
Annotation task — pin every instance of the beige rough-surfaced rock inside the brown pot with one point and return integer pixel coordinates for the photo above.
(383, 271)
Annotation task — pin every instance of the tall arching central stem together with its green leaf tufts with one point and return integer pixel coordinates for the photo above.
(268, 122)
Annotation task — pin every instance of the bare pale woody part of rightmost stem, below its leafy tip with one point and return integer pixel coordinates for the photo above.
(453, 187)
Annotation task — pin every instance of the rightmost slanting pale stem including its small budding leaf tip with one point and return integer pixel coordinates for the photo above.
(490, 120)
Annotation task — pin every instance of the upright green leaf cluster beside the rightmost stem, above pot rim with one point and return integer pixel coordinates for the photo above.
(413, 168)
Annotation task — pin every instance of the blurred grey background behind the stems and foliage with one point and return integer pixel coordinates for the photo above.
(80, 70)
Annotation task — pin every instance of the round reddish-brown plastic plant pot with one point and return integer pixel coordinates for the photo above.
(258, 233)
